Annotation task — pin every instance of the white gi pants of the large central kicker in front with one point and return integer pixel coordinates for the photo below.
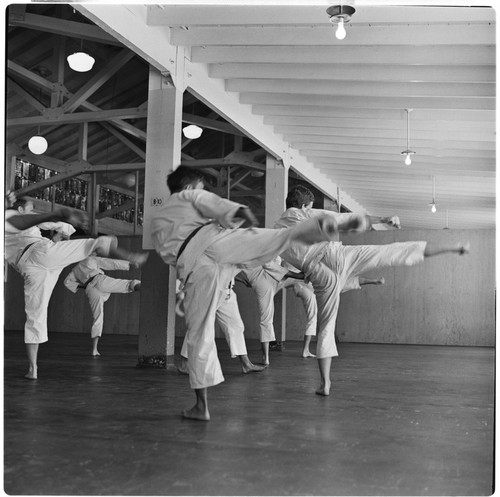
(211, 272)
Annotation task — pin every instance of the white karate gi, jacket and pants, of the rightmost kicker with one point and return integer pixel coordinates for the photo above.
(330, 265)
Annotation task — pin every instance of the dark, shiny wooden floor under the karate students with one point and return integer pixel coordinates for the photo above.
(400, 420)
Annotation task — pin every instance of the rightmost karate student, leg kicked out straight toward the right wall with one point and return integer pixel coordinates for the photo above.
(329, 265)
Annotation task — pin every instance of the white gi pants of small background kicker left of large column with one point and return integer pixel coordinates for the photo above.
(98, 291)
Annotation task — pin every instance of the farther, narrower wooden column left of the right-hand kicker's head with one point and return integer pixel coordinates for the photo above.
(276, 192)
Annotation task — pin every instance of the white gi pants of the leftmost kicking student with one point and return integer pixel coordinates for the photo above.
(41, 266)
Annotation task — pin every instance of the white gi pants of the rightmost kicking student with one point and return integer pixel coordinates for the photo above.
(339, 264)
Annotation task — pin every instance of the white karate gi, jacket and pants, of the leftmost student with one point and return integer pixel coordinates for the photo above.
(40, 262)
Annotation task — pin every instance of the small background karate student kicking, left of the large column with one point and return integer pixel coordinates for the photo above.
(89, 276)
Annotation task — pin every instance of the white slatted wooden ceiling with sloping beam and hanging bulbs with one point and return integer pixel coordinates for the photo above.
(334, 110)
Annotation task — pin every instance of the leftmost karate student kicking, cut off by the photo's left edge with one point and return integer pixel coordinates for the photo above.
(40, 262)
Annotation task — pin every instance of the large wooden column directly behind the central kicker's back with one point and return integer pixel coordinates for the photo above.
(163, 155)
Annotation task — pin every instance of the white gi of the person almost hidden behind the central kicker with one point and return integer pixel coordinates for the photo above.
(229, 319)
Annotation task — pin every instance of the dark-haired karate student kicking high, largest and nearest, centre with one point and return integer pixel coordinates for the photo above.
(197, 231)
